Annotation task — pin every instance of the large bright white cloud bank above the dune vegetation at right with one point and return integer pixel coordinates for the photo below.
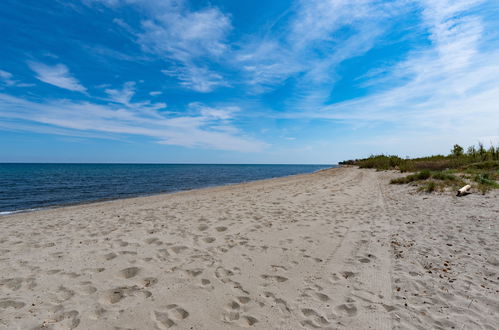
(443, 92)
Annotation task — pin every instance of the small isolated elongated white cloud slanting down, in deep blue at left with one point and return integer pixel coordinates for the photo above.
(57, 75)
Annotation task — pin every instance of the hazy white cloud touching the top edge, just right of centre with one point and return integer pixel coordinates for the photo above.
(312, 43)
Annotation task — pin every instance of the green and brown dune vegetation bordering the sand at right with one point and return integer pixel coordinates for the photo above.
(477, 165)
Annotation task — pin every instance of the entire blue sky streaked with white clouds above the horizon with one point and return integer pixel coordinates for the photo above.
(245, 81)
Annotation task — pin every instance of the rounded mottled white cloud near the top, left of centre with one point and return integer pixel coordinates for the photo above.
(186, 37)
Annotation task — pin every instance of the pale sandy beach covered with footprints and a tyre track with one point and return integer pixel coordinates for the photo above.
(337, 249)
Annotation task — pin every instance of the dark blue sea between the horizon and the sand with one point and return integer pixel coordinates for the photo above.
(33, 186)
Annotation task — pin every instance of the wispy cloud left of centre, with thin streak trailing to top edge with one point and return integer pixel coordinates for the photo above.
(189, 40)
